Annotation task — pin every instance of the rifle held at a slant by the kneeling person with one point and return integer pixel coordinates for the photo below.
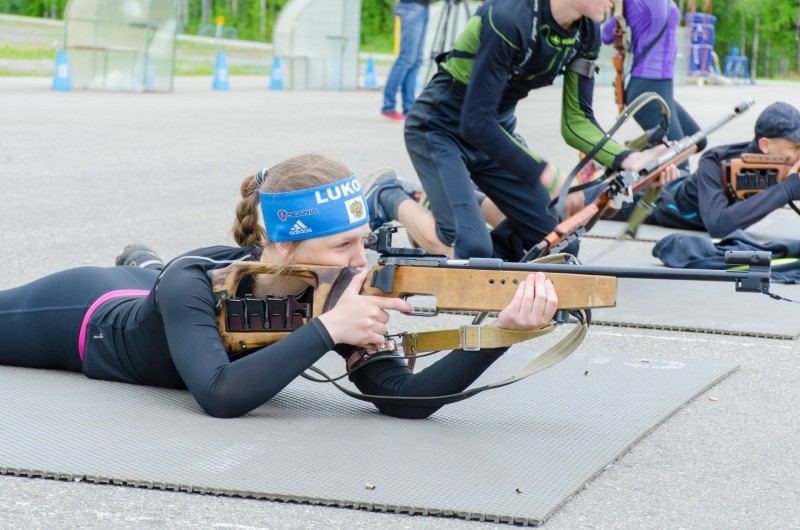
(621, 188)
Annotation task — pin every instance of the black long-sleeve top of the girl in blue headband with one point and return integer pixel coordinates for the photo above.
(169, 338)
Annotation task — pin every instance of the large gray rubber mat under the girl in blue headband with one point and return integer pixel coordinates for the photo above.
(510, 455)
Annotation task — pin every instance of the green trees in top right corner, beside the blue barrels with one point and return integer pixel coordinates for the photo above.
(776, 30)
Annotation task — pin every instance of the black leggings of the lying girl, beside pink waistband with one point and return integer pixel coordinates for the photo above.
(40, 322)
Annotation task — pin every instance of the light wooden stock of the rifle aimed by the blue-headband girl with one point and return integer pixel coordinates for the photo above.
(248, 323)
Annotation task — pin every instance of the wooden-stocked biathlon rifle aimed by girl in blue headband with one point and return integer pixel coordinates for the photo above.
(476, 285)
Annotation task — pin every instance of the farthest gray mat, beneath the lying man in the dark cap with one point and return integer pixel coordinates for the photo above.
(780, 224)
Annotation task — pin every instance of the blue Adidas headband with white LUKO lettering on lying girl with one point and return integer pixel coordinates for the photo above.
(314, 212)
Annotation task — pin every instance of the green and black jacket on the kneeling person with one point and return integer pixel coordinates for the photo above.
(509, 48)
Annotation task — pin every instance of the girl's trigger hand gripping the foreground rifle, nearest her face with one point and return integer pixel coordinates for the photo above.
(358, 319)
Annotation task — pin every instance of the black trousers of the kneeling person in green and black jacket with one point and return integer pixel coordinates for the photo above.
(447, 166)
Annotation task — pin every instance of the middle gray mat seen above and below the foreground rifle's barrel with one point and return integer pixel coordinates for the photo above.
(713, 307)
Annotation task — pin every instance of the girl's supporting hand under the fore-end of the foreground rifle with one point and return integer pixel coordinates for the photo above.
(534, 305)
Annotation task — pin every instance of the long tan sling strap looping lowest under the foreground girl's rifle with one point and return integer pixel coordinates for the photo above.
(553, 355)
